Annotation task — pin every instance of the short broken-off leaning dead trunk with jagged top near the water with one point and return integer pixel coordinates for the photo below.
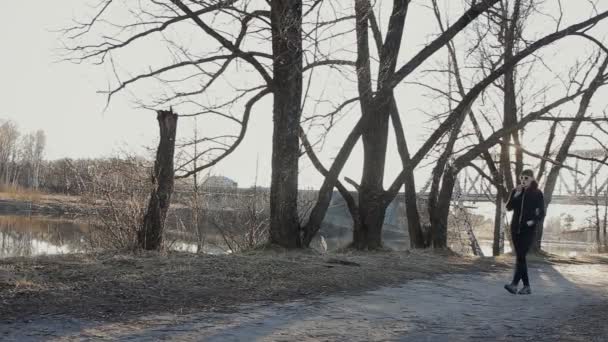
(150, 236)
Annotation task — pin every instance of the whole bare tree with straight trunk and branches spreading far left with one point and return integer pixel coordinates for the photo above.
(231, 52)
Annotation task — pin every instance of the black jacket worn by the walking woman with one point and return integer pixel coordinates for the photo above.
(528, 206)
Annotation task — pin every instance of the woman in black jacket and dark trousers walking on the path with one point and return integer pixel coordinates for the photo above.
(528, 206)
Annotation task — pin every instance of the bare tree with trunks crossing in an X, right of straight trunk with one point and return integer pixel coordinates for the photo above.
(377, 106)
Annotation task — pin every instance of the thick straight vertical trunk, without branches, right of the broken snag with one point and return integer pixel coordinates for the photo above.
(286, 19)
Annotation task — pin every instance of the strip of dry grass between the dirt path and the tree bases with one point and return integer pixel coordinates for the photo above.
(106, 286)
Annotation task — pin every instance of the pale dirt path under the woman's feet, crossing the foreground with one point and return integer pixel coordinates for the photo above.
(457, 307)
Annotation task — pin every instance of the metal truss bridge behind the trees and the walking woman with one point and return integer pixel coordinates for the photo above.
(585, 178)
